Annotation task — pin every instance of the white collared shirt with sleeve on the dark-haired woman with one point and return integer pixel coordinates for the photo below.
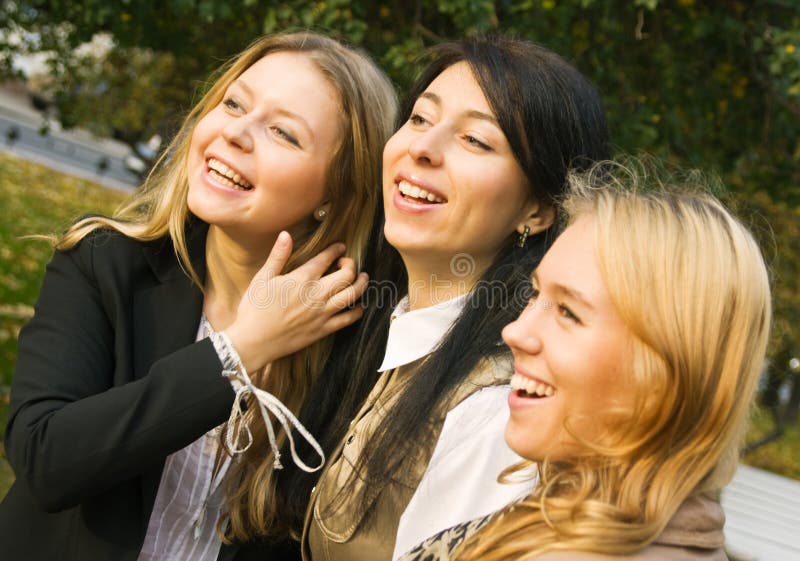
(460, 482)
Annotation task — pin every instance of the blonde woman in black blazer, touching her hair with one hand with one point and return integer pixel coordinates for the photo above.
(149, 322)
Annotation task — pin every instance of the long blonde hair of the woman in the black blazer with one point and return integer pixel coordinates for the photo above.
(368, 112)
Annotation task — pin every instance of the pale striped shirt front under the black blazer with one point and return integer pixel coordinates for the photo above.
(183, 522)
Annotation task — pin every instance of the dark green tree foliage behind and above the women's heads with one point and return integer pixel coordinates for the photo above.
(709, 84)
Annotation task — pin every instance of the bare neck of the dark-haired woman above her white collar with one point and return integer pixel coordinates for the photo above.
(432, 282)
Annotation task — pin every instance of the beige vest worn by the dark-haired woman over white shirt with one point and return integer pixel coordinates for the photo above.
(351, 532)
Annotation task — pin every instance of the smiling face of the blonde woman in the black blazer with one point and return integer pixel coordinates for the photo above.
(258, 161)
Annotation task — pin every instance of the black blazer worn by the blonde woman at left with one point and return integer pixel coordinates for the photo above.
(109, 382)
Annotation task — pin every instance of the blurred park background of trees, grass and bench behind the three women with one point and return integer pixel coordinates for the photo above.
(91, 90)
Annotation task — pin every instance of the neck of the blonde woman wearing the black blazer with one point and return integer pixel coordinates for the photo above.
(230, 267)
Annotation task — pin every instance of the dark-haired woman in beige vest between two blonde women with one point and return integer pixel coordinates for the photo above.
(470, 183)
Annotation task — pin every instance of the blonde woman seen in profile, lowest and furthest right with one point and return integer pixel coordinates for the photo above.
(647, 331)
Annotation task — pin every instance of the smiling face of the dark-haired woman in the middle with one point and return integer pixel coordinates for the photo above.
(451, 183)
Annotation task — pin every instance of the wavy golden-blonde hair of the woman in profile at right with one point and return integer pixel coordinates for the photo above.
(690, 282)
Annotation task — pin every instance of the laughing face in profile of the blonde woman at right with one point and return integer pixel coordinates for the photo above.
(572, 353)
